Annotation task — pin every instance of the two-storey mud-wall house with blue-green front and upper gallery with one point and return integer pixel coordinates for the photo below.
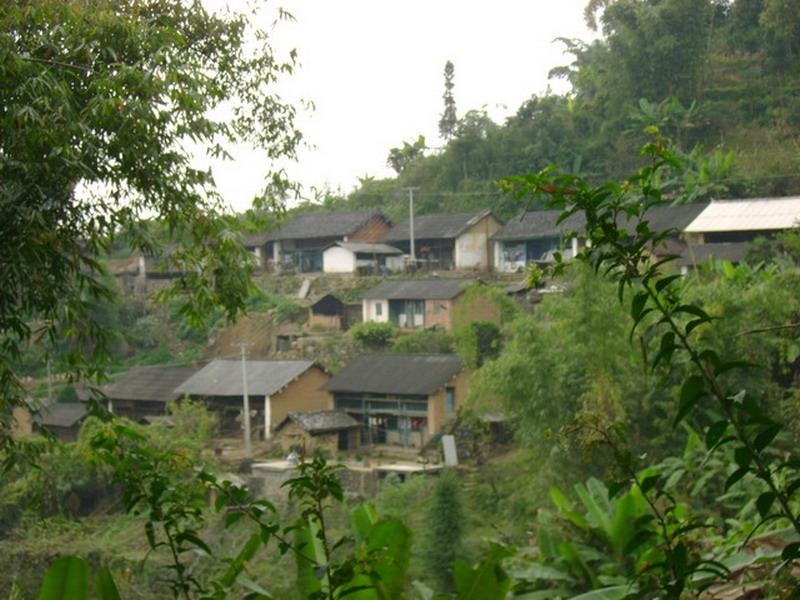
(401, 399)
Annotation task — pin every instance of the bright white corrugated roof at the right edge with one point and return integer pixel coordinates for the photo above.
(758, 214)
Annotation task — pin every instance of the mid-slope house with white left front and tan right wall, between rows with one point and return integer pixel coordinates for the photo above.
(426, 303)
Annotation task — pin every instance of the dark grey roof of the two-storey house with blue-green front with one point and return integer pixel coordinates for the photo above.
(395, 373)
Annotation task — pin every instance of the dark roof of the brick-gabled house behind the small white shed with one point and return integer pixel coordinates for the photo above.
(315, 225)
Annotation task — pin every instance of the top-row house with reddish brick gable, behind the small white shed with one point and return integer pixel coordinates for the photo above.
(299, 243)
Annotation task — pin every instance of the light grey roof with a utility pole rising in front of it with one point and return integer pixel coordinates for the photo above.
(224, 377)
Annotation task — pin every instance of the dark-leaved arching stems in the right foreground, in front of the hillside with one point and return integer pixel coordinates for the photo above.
(670, 329)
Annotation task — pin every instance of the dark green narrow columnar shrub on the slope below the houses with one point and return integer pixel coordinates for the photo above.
(443, 529)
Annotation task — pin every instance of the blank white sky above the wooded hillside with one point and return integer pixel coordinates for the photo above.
(374, 70)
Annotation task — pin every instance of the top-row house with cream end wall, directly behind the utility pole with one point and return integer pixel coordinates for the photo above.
(448, 240)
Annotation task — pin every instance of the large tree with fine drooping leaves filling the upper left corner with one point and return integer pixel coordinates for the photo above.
(99, 103)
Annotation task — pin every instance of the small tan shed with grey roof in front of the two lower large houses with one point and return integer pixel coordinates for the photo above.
(329, 430)
